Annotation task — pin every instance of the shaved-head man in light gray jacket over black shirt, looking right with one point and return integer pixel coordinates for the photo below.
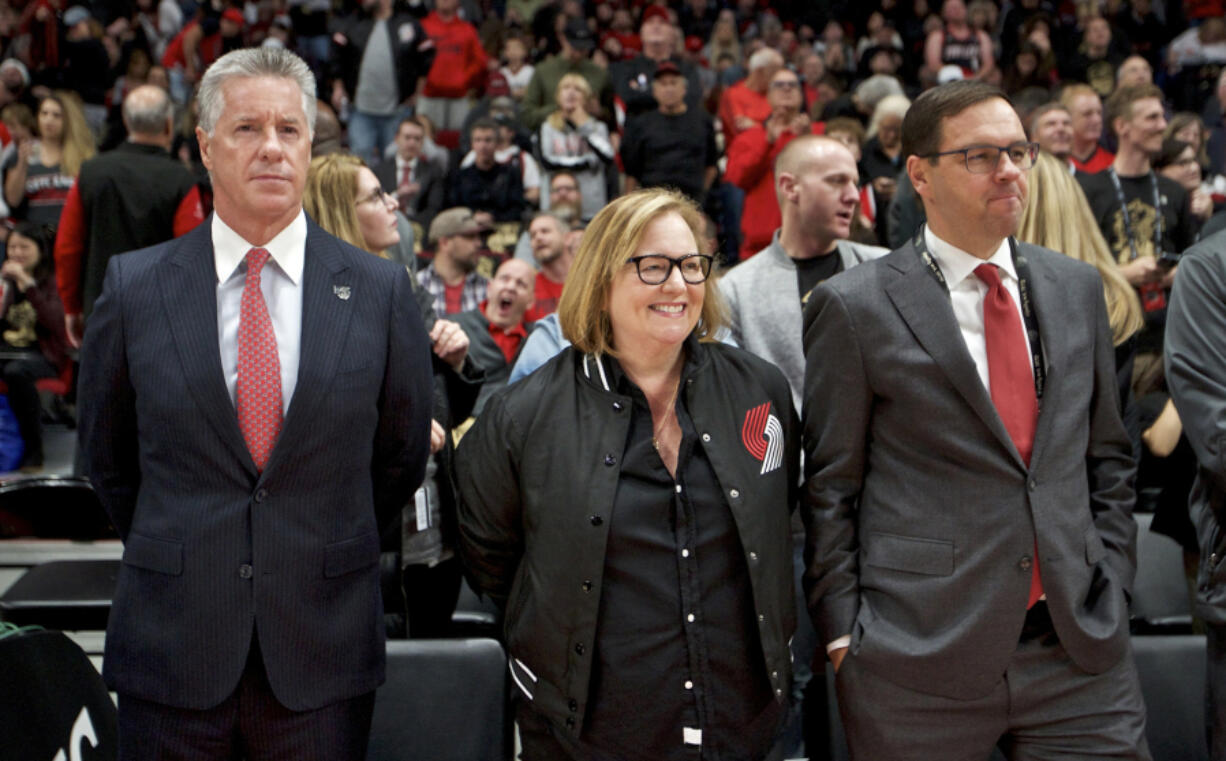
(816, 184)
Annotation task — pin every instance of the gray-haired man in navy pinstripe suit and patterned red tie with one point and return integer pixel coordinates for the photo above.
(256, 403)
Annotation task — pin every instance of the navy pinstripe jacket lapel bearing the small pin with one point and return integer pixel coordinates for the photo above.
(329, 296)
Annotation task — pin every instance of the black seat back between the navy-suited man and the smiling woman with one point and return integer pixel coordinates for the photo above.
(444, 700)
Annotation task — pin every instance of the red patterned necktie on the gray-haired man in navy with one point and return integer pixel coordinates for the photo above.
(259, 368)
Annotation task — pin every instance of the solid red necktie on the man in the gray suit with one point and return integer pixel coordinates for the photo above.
(1011, 378)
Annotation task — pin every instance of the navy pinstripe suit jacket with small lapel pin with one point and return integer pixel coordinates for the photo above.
(214, 550)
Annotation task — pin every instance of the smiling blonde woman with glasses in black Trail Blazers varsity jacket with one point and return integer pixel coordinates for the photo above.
(628, 505)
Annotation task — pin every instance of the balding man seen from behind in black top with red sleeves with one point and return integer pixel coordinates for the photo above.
(127, 199)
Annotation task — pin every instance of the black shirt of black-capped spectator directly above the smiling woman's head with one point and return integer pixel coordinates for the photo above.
(672, 150)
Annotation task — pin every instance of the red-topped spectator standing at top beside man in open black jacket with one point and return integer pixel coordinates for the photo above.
(458, 70)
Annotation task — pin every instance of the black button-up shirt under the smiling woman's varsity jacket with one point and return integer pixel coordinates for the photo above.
(679, 671)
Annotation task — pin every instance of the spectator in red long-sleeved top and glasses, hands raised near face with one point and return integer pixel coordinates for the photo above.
(752, 157)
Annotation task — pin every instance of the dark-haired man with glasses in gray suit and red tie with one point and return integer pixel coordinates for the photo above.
(969, 481)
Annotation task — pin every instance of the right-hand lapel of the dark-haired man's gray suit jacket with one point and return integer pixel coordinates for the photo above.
(1053, 311)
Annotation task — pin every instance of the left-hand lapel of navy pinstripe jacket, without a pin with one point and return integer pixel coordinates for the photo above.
(191, 305)
